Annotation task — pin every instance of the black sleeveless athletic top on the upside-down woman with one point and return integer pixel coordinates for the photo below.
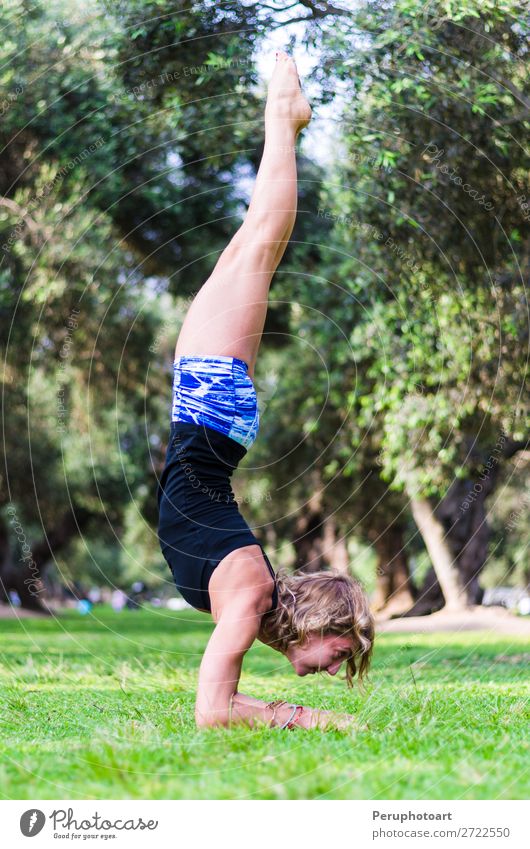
(199, 518)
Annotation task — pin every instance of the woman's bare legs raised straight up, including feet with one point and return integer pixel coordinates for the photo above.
(227, 315)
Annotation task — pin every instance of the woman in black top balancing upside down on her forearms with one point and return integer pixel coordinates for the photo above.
(317, 621)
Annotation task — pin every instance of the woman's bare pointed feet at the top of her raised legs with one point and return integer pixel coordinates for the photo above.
(286, 104)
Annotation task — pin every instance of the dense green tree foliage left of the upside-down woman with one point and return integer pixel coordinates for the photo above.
(95, 192)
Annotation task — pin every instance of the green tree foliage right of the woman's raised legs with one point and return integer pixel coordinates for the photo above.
(410, 327)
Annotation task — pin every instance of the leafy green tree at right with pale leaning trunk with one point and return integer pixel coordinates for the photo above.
(442, 266)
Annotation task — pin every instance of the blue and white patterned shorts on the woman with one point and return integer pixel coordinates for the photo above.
(218, 393)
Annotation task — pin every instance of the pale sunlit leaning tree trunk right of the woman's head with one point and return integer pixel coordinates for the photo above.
(447, 572)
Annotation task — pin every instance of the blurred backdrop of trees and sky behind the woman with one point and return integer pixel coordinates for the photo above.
(393, 381)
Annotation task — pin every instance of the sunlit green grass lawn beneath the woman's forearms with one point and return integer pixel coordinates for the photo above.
(101, 707)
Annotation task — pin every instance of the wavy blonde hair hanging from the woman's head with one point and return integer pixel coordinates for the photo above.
(327, 603)
